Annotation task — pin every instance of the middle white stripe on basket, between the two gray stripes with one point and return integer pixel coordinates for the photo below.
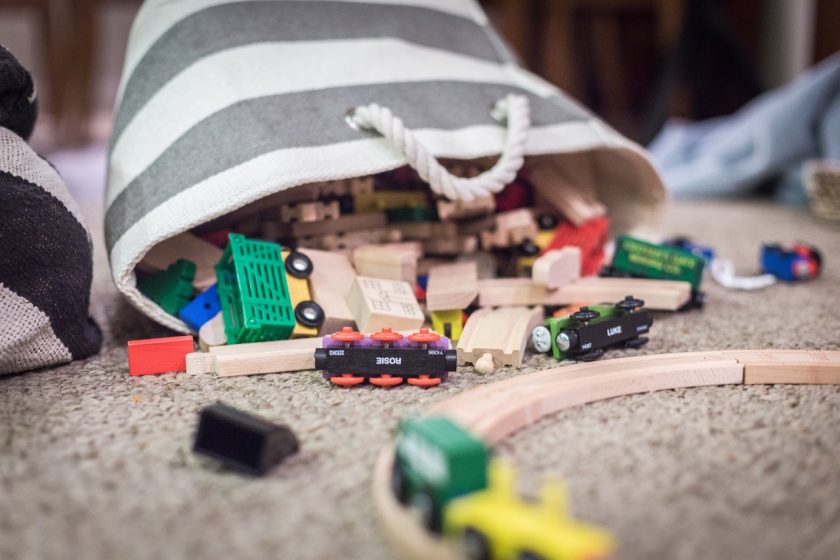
(252, 71)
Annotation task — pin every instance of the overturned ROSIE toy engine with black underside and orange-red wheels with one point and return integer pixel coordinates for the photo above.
(386, 358)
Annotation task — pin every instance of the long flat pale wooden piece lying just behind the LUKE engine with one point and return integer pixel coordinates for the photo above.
(658, 294)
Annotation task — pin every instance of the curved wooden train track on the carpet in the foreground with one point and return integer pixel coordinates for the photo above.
(494, 411)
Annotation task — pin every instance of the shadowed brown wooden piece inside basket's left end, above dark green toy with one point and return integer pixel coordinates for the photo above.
(185, 246)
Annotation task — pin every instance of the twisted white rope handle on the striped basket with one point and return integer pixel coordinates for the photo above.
(514, 109)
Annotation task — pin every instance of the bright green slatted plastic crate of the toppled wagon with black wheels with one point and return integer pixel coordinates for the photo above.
(252, 288)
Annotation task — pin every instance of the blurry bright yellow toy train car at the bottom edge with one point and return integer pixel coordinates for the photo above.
(496, 524)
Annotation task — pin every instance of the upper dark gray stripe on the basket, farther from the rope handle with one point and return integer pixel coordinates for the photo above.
(242, 23)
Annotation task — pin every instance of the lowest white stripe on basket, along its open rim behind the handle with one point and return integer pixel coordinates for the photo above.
(281, 169)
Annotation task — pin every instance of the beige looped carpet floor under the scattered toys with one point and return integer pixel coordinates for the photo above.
(97, 465)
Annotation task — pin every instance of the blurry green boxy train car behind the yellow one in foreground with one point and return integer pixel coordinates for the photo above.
(436, 461)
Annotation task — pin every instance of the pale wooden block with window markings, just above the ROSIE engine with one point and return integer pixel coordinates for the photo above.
(378, 303)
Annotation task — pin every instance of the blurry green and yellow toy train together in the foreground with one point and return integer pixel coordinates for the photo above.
(446, 476)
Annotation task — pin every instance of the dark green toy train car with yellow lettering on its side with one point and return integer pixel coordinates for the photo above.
(660, 262)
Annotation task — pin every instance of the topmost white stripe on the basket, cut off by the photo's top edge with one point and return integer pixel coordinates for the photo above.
(156, 17)
